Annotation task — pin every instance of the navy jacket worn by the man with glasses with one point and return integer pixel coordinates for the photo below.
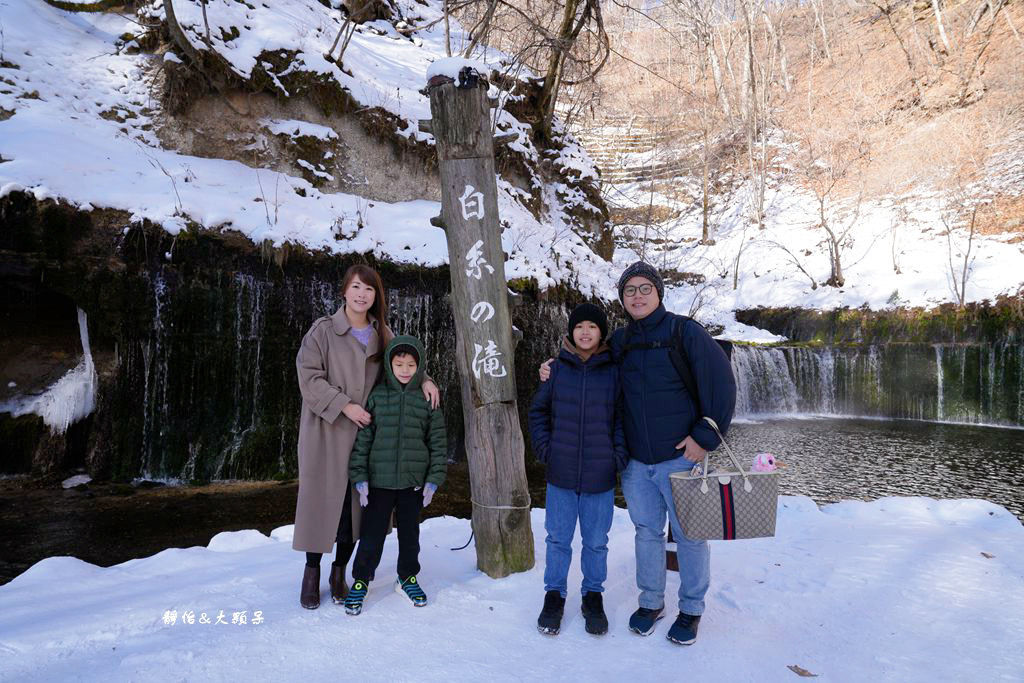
(659, 411)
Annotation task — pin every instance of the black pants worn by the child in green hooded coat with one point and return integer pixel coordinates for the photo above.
(407, 504)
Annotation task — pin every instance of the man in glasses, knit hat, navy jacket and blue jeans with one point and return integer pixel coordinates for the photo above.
(665, 434)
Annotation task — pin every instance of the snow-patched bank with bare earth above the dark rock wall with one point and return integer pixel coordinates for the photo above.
(250, 127)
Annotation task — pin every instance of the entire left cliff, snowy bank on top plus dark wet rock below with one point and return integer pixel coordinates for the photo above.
(198, 196)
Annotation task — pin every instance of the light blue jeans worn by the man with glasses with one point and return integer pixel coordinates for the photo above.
(649, 497)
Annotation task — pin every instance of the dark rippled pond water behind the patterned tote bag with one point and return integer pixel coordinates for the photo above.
(831, 459)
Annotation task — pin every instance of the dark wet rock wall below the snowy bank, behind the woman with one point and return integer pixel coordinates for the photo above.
(195, 359)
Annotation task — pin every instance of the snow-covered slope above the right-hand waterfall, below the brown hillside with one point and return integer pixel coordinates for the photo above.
(897, 254)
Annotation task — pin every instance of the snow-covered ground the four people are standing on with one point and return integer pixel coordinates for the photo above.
(901, 589)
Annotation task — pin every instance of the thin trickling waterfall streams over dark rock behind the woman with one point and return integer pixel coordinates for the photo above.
(209, 391)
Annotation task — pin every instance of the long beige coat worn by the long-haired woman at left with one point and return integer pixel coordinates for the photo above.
(334, 370)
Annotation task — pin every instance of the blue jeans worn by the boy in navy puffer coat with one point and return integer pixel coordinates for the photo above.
(563, 509)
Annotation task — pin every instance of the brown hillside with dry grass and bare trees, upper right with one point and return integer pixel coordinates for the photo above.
(865, 99)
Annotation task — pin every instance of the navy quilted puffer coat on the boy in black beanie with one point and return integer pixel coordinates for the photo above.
(576, 422)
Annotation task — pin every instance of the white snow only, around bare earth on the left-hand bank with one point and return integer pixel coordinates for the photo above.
(81, 111)
